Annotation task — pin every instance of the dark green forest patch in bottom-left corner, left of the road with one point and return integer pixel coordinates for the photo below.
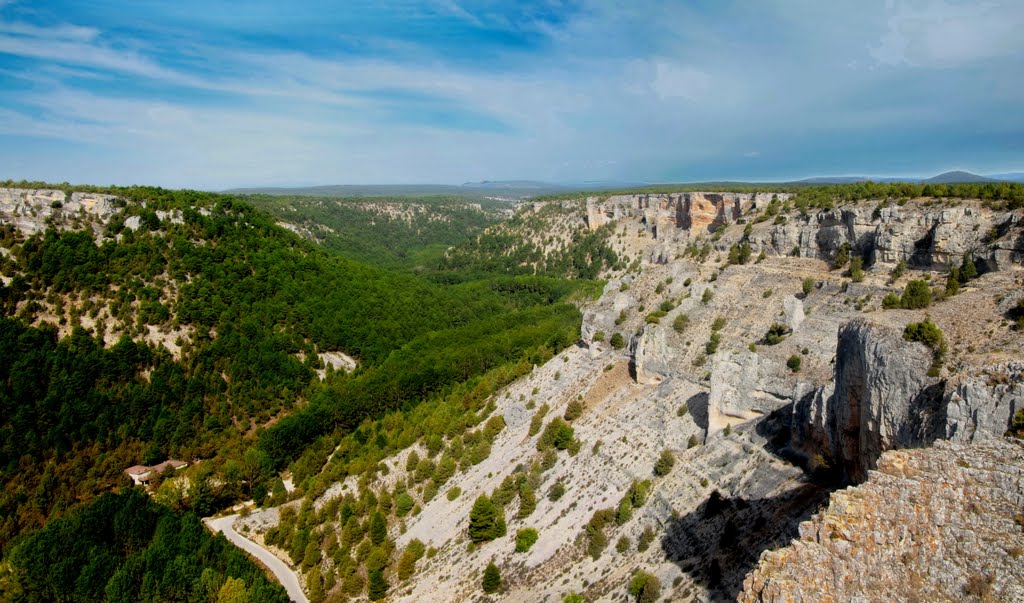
(124, 548)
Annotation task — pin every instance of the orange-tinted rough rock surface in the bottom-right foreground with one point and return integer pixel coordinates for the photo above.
(934, 525)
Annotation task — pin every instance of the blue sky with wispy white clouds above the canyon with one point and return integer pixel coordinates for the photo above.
(214, 96)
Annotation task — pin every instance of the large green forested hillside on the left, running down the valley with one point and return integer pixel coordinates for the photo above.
(189, 325)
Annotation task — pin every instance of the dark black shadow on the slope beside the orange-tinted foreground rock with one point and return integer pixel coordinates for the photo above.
(721, 541)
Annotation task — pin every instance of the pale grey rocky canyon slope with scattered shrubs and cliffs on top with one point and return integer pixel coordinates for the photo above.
(759, 439)
